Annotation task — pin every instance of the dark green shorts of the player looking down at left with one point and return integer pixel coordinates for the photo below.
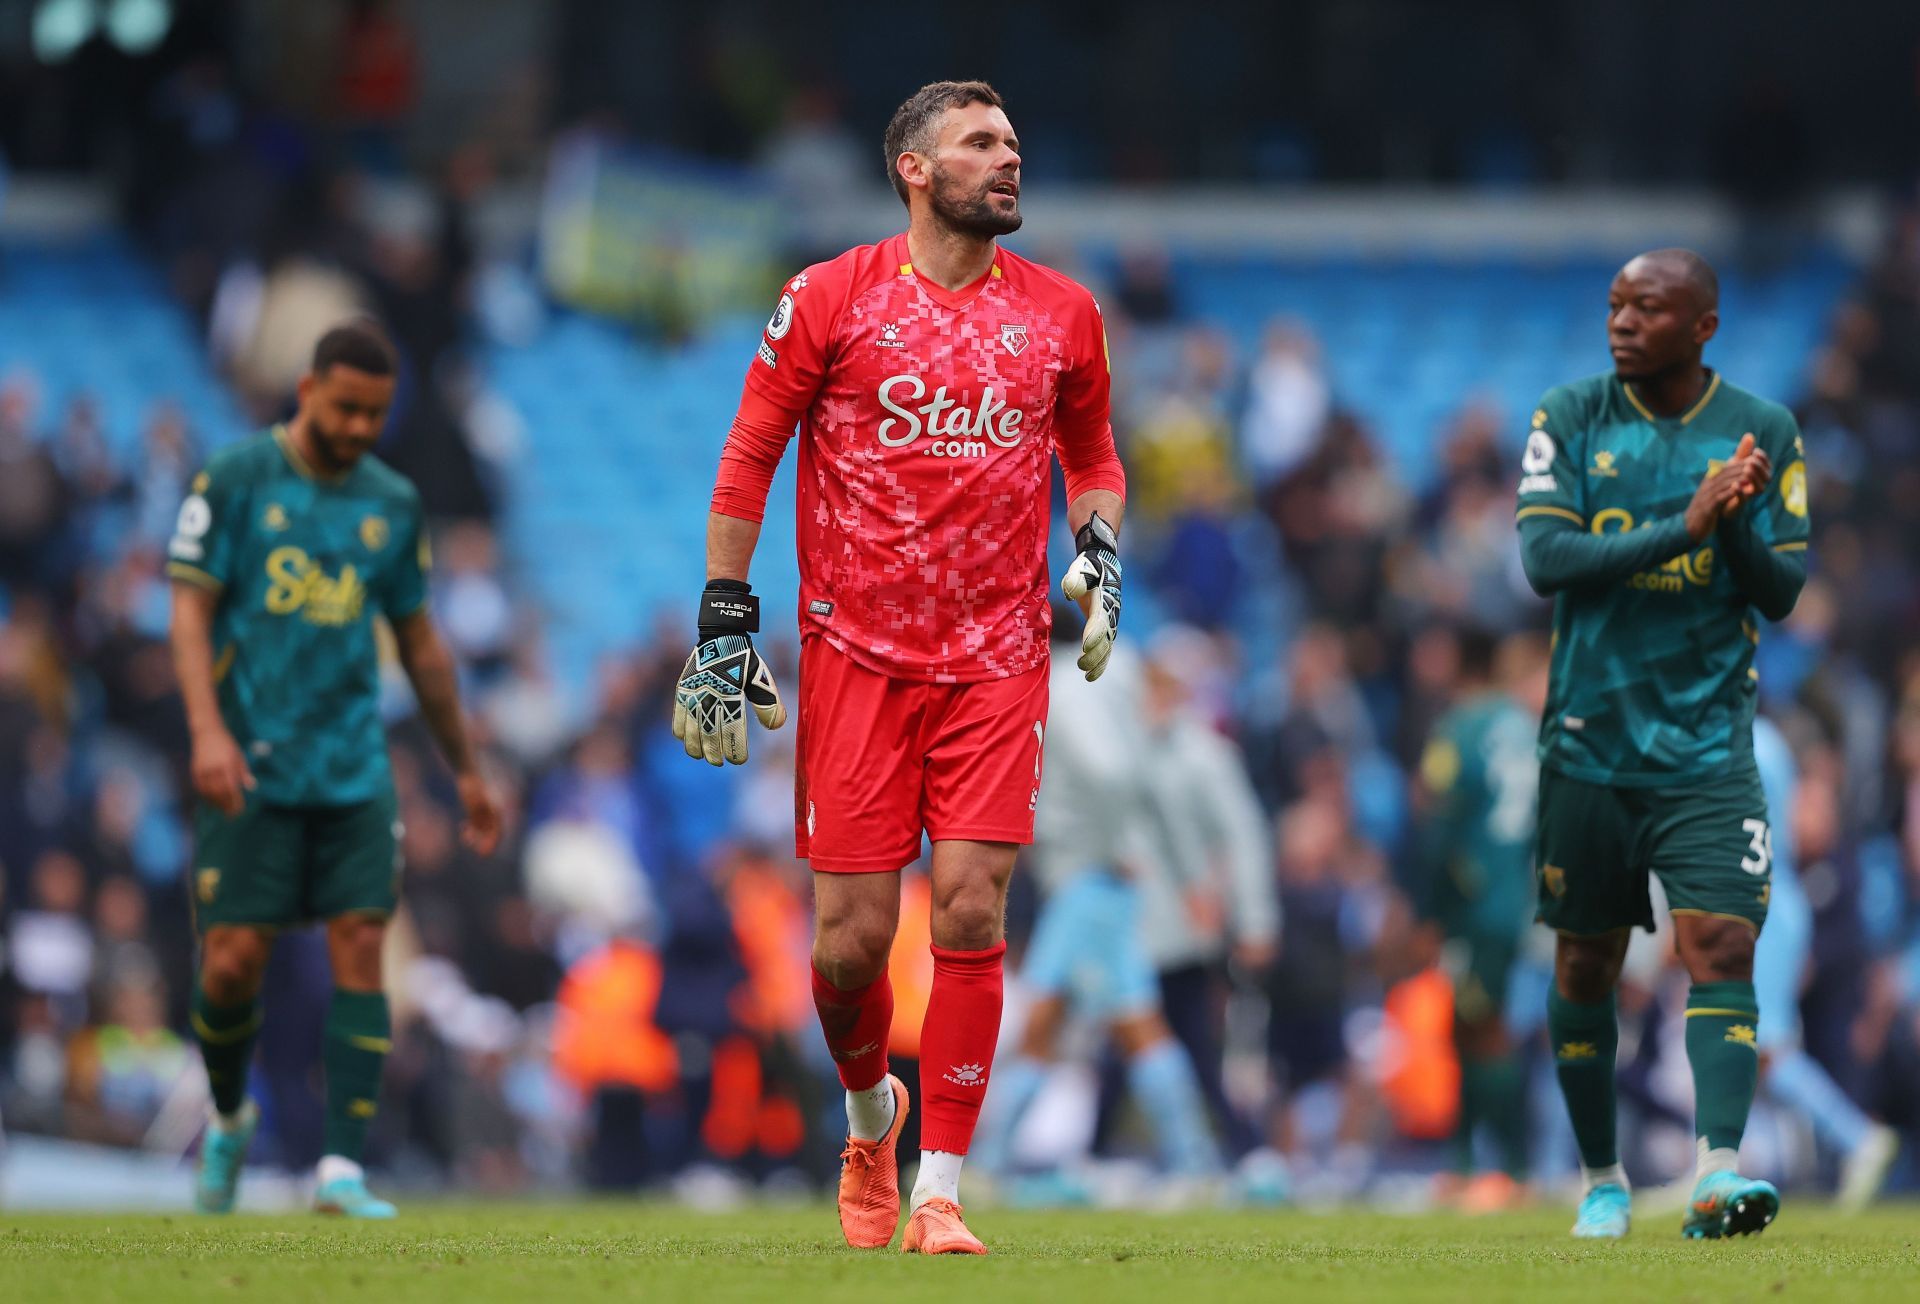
(281, 867)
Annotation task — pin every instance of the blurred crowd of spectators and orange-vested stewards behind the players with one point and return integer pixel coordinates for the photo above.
(619, 994)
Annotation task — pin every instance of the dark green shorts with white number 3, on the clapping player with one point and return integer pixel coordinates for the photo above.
(1596, 846)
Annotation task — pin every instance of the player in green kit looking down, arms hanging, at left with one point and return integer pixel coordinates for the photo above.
(285, 552)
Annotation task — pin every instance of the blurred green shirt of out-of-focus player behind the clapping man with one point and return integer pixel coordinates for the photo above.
(1477, 829)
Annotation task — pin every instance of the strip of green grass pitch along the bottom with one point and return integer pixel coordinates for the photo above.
(794, 1255)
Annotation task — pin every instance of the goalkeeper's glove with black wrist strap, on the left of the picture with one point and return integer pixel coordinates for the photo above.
(725, 677)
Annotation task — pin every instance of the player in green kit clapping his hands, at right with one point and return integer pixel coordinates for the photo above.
(1652, 512)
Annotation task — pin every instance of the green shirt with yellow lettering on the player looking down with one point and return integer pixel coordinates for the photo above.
(302, 564)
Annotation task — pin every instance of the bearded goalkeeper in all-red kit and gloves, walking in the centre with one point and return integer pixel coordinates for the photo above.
(932, 379)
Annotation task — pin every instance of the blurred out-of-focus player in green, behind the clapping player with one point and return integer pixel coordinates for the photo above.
(1476, 884)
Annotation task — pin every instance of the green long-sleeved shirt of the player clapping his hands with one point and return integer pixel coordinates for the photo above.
(1652, 677)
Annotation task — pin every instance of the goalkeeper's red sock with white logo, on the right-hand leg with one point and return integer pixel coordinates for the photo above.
(957, 1046)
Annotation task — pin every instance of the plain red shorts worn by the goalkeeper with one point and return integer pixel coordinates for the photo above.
(880, 761)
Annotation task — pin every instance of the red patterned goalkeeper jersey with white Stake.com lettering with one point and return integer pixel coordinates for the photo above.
(928, 420)
